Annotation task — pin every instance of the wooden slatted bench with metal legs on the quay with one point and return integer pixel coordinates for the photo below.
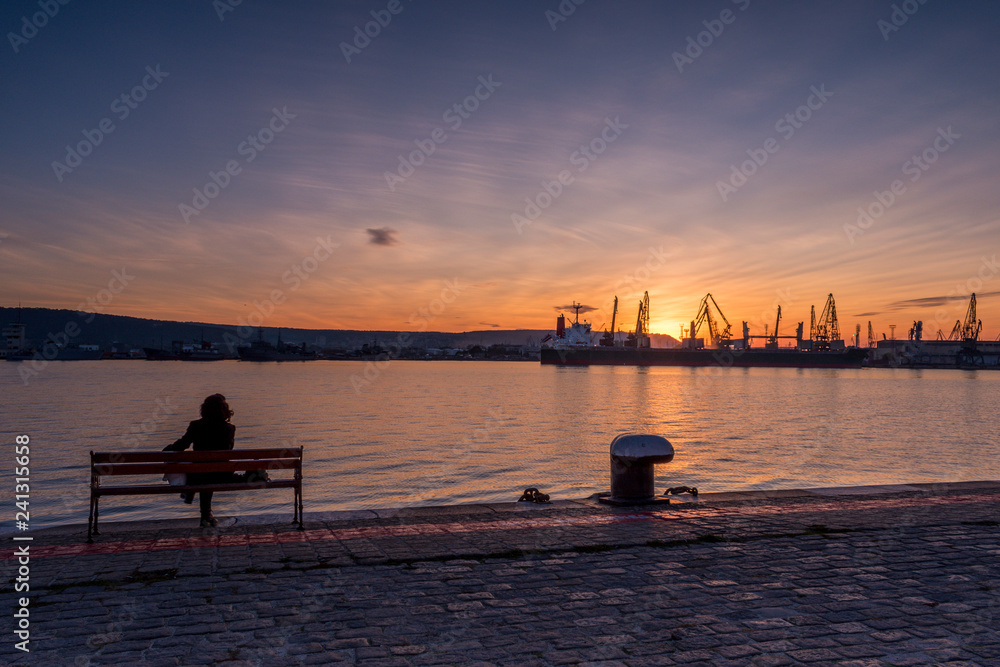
(119, 464)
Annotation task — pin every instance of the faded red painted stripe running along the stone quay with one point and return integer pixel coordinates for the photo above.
(424, 529)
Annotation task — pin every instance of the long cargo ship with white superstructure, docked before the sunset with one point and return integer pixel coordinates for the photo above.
(573, 345)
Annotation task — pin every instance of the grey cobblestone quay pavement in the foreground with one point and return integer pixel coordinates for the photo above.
(904, 575)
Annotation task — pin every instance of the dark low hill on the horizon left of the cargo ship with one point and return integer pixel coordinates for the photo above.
(137, 332)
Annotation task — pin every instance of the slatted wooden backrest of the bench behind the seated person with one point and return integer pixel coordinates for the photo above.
(159, 463)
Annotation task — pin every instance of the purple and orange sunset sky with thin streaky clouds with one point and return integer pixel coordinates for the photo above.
(373, 180)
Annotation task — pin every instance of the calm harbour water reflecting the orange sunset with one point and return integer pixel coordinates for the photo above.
(430, 433)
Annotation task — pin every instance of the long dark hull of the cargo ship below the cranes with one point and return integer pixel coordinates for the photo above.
(623, 356)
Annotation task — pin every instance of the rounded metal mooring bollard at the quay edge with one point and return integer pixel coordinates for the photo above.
(633, 456)
